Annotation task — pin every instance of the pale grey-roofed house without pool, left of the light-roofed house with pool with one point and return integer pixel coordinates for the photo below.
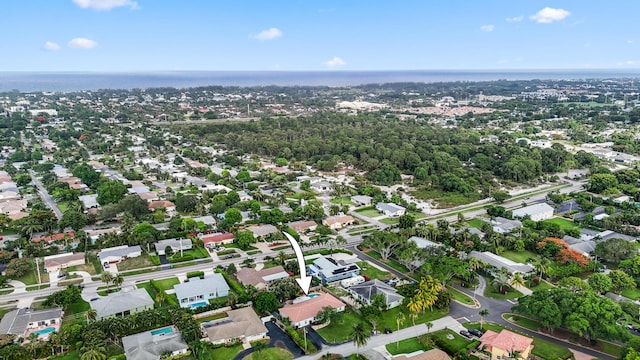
(125, 302)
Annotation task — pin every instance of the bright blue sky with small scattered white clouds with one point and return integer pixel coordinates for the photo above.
(152, 35)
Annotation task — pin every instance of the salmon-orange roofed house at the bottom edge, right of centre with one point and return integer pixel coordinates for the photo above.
(504, 344)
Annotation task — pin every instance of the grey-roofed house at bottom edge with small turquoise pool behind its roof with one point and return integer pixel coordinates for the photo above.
(154, 344)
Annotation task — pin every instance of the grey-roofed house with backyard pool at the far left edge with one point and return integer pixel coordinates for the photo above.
(23, 322)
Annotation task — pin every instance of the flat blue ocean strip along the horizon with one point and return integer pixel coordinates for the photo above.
(72, 81)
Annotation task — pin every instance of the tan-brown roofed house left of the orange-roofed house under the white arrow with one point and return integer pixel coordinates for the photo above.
(241, 324)
